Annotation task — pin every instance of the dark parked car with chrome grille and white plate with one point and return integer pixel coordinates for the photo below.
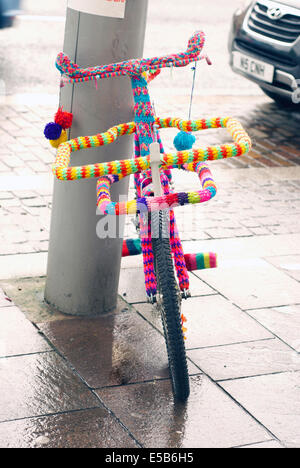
(264, 44)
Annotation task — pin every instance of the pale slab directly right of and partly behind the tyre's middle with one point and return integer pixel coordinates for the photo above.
(212, 321)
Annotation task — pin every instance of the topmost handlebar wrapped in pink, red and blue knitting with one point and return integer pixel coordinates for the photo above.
(73, 73)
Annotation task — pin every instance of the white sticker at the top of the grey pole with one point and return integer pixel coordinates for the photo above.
(111, 8)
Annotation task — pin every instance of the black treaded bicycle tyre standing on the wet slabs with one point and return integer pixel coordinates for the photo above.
(169, 303)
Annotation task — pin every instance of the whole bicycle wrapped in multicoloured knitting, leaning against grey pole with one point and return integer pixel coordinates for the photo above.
(159, 241)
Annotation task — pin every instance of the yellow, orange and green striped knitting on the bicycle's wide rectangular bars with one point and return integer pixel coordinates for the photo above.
(127, 167)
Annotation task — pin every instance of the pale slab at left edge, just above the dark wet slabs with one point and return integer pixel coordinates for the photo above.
(18, 335)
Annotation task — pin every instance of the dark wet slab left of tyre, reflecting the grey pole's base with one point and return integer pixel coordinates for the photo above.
(114, 349)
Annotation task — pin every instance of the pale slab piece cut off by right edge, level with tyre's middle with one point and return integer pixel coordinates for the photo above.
(284, 322)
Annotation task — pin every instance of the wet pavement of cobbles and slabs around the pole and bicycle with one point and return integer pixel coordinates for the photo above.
(103, 381)
